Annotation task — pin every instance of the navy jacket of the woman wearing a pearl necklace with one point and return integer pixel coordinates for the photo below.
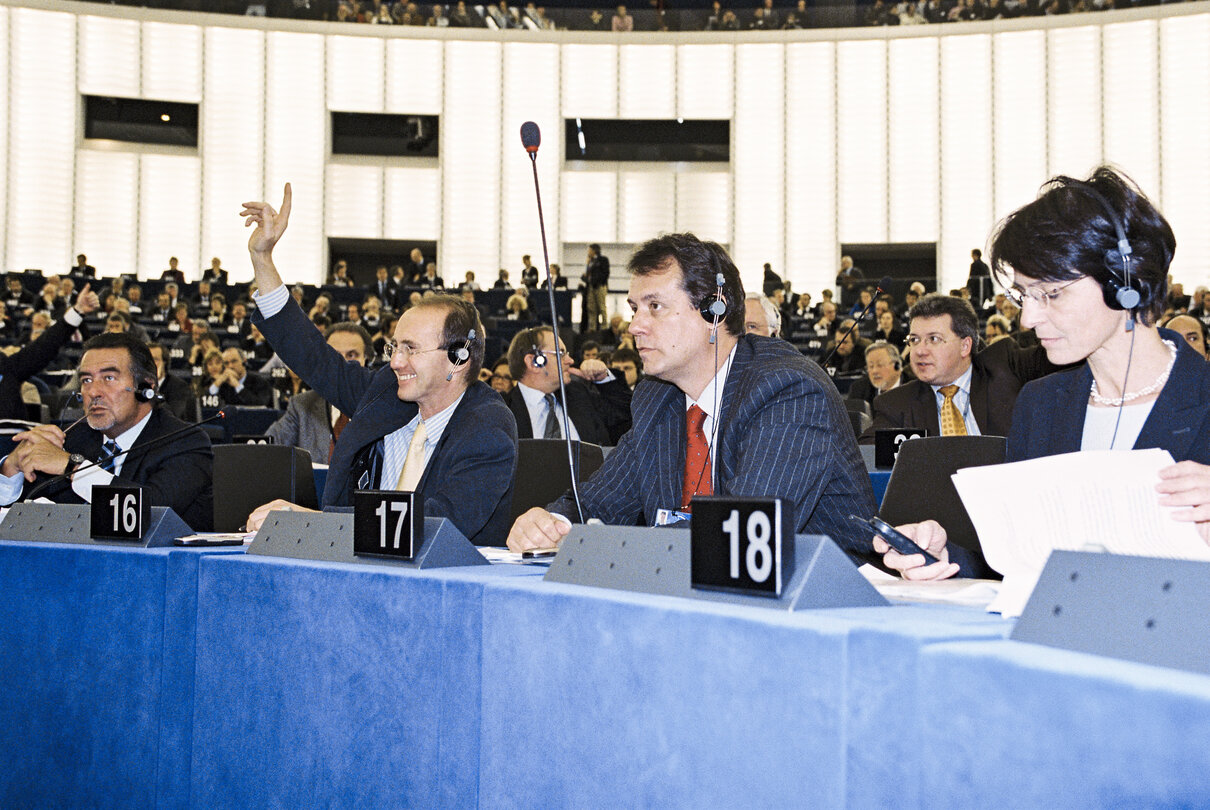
(1050, 417)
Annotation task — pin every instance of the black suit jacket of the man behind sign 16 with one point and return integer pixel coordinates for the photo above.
(178, 474)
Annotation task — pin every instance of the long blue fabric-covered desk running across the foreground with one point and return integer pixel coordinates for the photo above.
(152, 677)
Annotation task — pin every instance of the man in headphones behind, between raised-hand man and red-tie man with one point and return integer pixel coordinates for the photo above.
(598, 403)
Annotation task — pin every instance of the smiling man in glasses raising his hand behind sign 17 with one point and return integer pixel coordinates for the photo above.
(425, 424)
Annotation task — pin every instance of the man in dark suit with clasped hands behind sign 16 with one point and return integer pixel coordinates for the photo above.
(116, 374)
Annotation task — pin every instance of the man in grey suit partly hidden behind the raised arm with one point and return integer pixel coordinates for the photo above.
(309, 421)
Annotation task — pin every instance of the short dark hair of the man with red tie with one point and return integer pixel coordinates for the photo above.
(701, 262)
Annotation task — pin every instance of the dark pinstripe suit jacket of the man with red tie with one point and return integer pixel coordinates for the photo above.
(782, 432)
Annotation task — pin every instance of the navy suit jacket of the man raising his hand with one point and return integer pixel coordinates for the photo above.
(470, 476)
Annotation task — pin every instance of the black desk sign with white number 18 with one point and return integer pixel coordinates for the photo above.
(741, 544)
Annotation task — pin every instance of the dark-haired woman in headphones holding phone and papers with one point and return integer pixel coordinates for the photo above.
(1062, 257)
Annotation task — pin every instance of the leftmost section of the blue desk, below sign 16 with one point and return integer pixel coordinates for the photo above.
(97, 674)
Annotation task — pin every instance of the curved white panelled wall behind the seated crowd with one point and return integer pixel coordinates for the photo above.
(912, 135)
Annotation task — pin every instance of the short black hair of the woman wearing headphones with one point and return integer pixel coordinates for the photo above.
(1068, 233)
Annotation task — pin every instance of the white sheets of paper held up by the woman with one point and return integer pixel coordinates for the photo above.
(1105, 501)
